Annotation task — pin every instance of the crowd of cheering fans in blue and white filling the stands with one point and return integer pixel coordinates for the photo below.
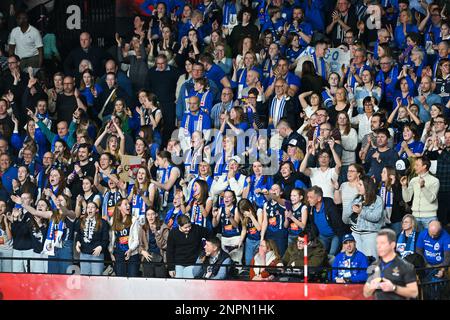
(246, 140)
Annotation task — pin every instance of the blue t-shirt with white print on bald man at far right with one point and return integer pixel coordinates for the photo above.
(433, 249)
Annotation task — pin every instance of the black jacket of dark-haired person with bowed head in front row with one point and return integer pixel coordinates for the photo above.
(184, 249)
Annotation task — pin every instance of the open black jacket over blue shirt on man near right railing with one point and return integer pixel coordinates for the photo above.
(334, 218)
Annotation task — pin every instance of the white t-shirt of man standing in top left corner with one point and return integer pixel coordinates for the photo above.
(27, 43)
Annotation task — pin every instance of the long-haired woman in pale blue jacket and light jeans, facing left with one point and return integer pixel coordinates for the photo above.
(367, 210)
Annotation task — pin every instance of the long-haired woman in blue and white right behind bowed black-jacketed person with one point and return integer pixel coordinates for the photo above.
(200, 205)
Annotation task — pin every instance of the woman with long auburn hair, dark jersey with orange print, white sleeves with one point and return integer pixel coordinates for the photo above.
(124, 243)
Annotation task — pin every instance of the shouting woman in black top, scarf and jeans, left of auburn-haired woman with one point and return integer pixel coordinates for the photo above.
(92, 240)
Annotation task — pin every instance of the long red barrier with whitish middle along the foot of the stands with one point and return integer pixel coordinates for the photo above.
(65, 287)
